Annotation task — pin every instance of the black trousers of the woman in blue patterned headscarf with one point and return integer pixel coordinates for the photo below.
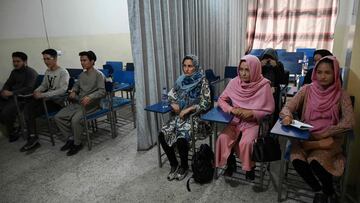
(183, 149)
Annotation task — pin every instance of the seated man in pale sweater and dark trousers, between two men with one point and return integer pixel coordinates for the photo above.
(55, 83)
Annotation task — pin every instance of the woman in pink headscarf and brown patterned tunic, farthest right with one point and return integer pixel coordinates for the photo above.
(327, 107)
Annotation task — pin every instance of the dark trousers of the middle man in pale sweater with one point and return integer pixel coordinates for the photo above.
(34, 109)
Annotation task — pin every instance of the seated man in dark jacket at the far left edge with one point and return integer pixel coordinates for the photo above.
(22, 80)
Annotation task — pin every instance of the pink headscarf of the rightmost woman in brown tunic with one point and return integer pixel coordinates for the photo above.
(322, 107)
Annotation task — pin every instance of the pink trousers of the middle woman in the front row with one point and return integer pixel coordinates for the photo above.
(243, 149)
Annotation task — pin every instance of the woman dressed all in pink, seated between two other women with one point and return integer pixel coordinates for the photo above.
(249, 98)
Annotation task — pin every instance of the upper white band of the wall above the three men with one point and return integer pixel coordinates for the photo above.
(23, 18)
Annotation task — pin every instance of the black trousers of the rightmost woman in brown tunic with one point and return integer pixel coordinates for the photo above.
(309, 171)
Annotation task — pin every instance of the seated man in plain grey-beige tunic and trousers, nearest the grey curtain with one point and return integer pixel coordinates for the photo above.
(87, 92)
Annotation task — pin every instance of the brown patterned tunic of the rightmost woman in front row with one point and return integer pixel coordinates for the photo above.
(331, 159)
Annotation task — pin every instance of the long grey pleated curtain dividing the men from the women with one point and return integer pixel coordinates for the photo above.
(164, 31)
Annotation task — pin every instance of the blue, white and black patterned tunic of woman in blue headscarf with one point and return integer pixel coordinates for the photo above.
(181, 128)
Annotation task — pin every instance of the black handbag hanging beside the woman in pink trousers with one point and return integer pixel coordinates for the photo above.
(266, 149)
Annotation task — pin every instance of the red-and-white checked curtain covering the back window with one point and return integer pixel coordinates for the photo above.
(284, 24)
